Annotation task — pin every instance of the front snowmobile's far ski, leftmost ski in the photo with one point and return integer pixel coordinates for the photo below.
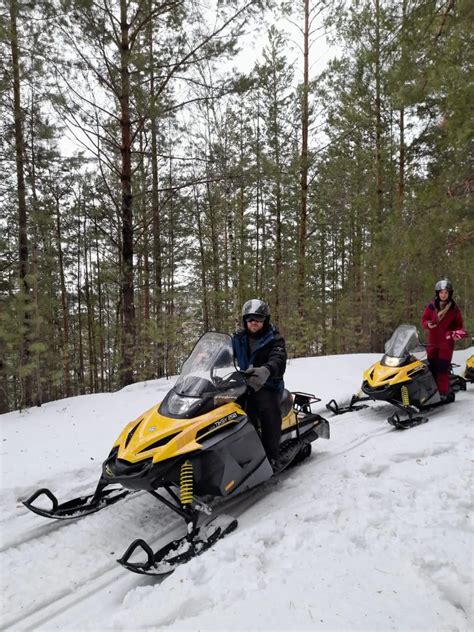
(77, 507)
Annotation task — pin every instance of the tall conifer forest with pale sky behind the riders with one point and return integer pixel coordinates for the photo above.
(163, 161)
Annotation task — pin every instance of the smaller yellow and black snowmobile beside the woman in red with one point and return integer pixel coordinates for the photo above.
(401, 379)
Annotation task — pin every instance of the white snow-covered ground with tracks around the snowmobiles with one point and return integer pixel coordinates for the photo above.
(373, 532)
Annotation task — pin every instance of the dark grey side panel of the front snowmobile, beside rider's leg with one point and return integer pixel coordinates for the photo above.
(231, 463)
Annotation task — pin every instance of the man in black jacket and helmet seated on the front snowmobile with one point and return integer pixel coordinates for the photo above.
(260, 351)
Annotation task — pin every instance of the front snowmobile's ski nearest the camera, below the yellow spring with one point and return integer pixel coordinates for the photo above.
(178, 551)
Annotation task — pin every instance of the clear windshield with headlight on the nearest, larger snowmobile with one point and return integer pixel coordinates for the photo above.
(209, 374)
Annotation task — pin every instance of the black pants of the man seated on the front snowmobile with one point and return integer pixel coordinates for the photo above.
(265, 405)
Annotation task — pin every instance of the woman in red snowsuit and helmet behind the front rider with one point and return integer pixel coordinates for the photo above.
(442, 318)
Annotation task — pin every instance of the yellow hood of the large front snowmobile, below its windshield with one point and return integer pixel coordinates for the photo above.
(154, 427)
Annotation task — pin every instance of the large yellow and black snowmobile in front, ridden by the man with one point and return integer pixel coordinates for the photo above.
(197, 444)
